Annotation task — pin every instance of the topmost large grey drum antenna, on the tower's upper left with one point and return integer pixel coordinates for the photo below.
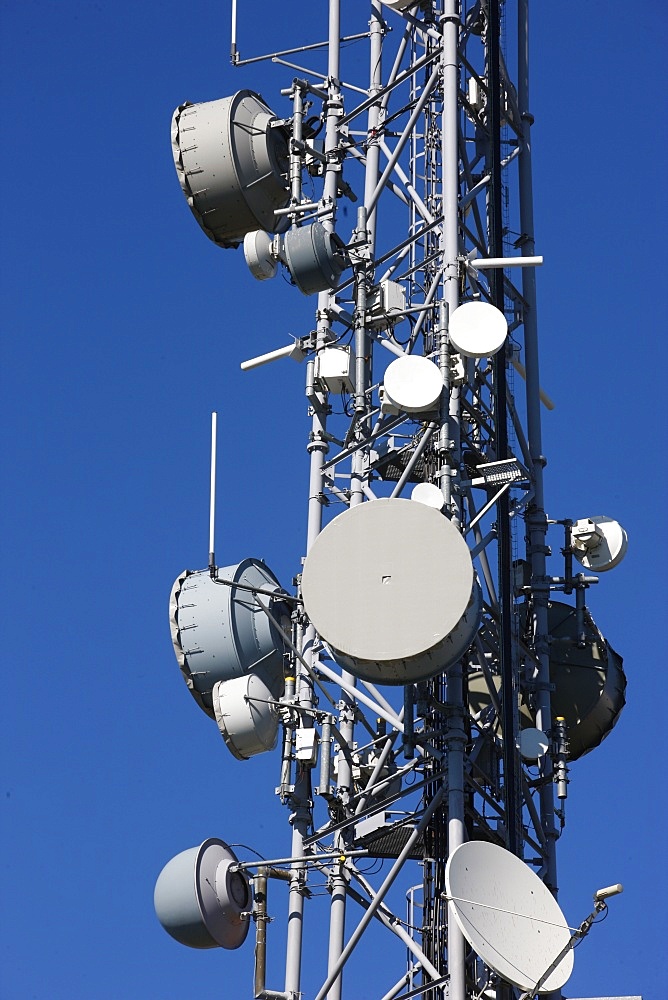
(231, 160)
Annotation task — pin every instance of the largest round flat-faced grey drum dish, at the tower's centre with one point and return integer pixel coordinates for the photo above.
(389, 586)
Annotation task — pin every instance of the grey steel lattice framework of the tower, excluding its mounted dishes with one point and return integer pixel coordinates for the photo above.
(437, 161)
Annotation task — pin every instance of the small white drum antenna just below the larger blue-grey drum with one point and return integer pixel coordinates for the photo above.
(246, 714)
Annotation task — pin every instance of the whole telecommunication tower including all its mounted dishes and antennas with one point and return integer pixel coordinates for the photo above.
(427, 682)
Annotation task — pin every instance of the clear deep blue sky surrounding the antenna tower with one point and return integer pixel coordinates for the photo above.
(123, 327)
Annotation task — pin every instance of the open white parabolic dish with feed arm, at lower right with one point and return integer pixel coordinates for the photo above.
(508, 916)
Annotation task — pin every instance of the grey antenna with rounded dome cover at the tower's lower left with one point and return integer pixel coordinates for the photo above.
(199, 899)
